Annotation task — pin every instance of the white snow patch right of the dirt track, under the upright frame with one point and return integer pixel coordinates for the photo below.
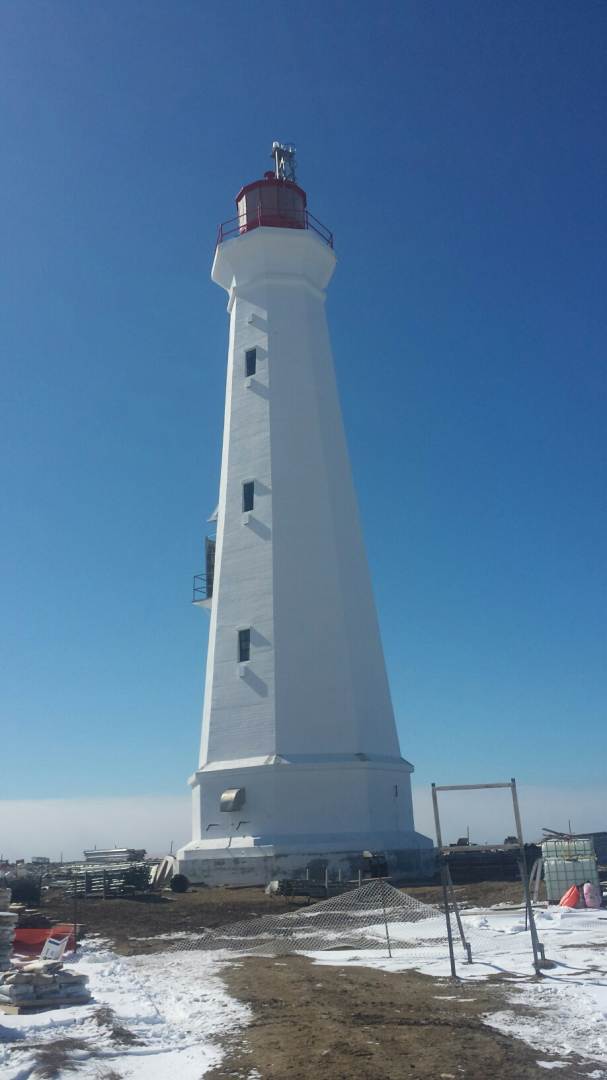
(564, 1012)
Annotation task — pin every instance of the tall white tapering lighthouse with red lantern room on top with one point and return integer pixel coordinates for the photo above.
(301, 768)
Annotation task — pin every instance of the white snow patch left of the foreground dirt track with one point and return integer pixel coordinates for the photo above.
(174, 1005)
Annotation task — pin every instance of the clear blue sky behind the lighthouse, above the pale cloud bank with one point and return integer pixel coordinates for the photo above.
(458, 151)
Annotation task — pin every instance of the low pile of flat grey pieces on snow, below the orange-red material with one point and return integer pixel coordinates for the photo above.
(43, 984)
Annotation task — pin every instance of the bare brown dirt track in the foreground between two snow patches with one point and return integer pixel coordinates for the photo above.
(346, 1023)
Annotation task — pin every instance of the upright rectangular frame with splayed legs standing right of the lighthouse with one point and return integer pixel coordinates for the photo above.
(446, 852)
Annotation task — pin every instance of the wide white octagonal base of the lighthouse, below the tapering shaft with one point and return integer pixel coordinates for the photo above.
(330, 812)
